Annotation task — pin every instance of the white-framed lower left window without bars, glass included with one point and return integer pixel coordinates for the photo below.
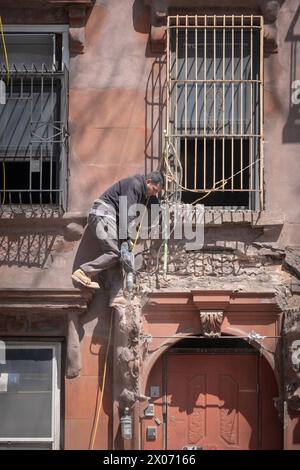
(30, 396)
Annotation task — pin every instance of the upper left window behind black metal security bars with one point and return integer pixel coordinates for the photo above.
(33, 121)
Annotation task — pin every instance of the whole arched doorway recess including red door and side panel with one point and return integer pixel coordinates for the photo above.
(211, 394)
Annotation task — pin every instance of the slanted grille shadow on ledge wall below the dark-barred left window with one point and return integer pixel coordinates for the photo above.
(26, 249)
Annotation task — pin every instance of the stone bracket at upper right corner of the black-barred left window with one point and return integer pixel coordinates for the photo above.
(77, 11)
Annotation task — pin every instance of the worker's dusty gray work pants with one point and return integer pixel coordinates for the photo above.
(105, 229)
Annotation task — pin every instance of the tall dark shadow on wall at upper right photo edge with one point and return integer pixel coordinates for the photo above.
(291, 130)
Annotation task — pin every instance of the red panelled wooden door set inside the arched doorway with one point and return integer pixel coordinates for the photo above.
(213, 401)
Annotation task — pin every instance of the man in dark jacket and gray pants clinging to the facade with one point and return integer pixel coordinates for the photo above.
(110, 223)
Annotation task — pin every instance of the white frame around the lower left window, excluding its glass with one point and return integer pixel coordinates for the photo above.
(54, 440)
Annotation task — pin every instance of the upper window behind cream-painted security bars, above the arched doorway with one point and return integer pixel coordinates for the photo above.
(214, 110)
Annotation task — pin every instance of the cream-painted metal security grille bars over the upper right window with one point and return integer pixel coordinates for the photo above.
(172, 137)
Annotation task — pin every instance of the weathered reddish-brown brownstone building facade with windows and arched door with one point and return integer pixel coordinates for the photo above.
(207, 355)
